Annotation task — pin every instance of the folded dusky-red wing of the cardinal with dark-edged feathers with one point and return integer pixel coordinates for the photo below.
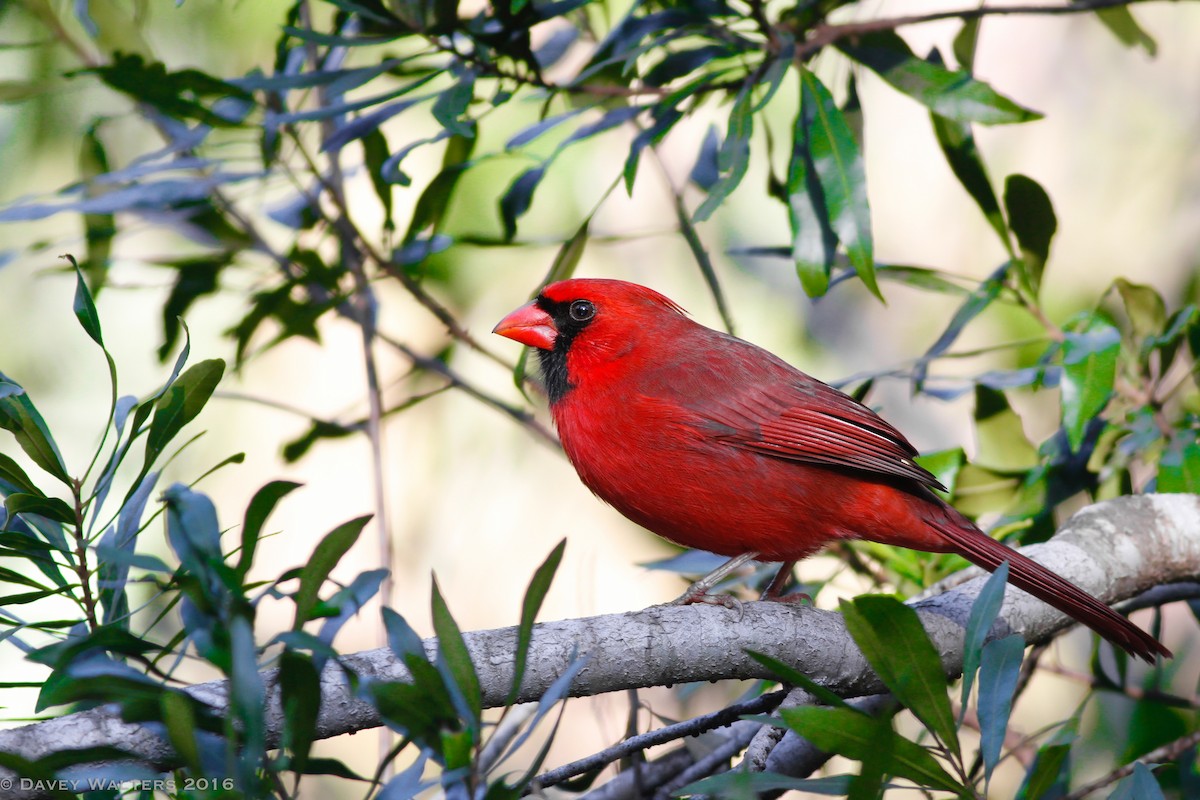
(801, 419)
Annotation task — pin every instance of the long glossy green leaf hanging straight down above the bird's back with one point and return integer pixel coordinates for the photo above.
(838, 164)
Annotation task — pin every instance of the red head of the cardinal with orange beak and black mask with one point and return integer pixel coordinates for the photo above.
(584, 326)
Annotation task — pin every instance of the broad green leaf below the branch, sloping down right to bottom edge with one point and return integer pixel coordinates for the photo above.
(856, 736)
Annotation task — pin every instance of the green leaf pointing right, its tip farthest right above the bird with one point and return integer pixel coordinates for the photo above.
(952, 94)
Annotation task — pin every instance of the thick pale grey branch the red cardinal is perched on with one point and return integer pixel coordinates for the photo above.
(1115, 550)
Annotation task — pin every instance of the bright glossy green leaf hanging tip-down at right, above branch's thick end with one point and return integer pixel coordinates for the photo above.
(1090, 366)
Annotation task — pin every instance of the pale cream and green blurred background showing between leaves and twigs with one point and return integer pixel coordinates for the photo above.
(472, 496)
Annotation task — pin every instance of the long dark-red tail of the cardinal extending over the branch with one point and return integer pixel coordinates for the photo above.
(1027, 574)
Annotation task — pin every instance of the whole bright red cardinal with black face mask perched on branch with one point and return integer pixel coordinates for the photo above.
(717, 444)
